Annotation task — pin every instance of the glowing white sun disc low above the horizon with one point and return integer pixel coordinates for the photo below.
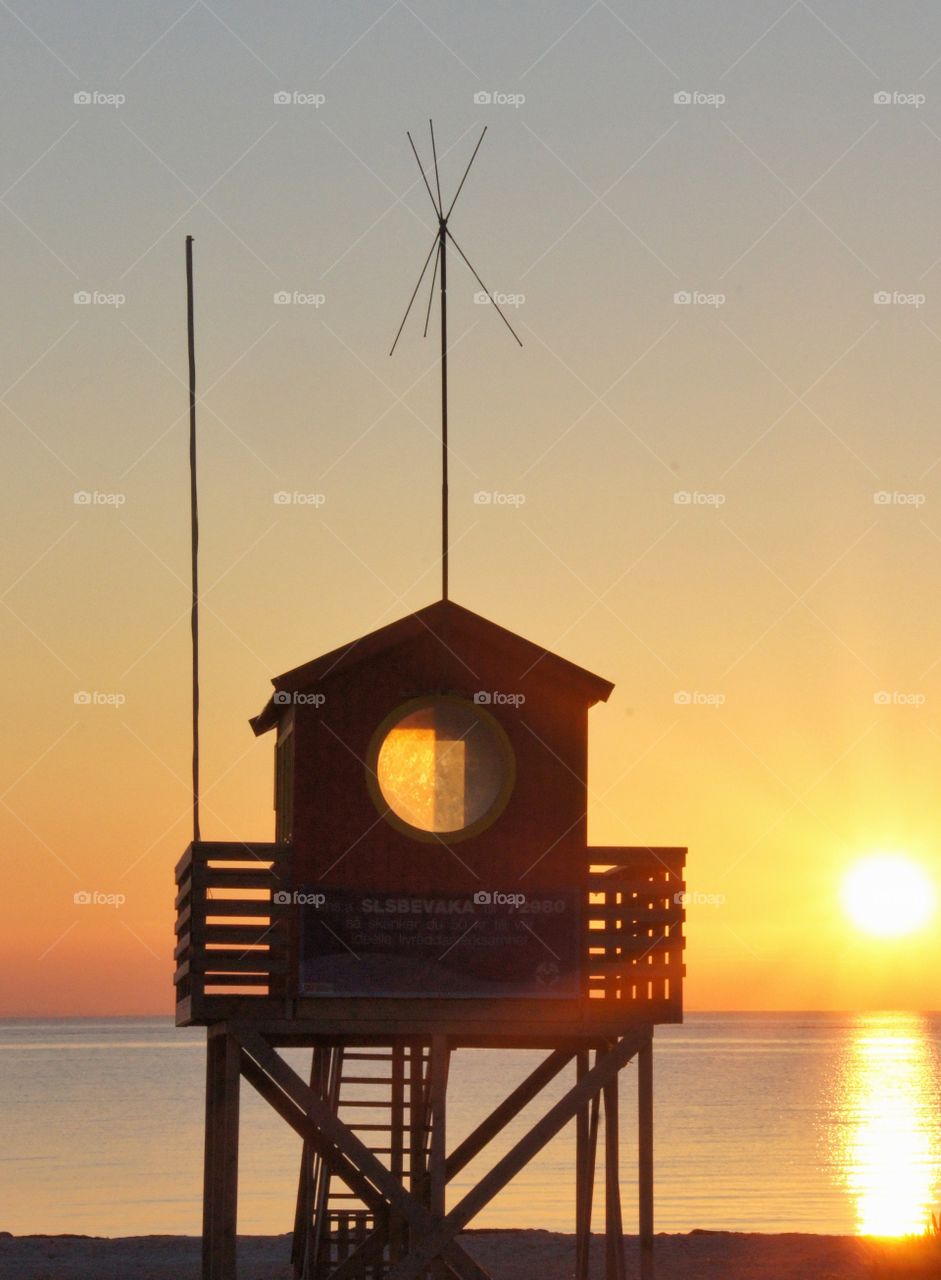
(888, 895)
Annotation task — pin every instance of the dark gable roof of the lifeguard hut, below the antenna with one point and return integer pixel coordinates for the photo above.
(428, 621)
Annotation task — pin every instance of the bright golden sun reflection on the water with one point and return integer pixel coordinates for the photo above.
(892, 1149)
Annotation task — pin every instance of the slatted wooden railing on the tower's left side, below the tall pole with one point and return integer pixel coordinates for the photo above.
(231, 929)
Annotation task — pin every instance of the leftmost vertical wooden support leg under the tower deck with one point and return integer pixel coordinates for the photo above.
(221, 1174)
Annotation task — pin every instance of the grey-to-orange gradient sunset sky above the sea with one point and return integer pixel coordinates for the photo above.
(785, 588)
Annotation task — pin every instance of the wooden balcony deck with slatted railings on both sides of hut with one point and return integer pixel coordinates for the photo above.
(234, 959)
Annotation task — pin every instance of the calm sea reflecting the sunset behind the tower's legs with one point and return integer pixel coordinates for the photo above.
(788, 1122)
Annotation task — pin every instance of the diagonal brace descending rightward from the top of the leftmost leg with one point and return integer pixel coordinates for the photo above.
(319, 1123)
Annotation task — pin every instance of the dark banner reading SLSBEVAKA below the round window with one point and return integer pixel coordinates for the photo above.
(486, 944)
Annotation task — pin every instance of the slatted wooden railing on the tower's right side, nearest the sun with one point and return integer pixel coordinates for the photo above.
(634, 930)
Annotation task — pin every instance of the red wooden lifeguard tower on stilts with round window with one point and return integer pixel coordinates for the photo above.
(431, 889)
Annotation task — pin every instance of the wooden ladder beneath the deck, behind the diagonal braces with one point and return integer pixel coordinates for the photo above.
(389, 1087)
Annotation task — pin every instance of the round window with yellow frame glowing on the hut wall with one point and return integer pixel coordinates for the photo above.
(441, 767)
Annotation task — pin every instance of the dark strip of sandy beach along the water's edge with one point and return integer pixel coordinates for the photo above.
(506, 1255)
